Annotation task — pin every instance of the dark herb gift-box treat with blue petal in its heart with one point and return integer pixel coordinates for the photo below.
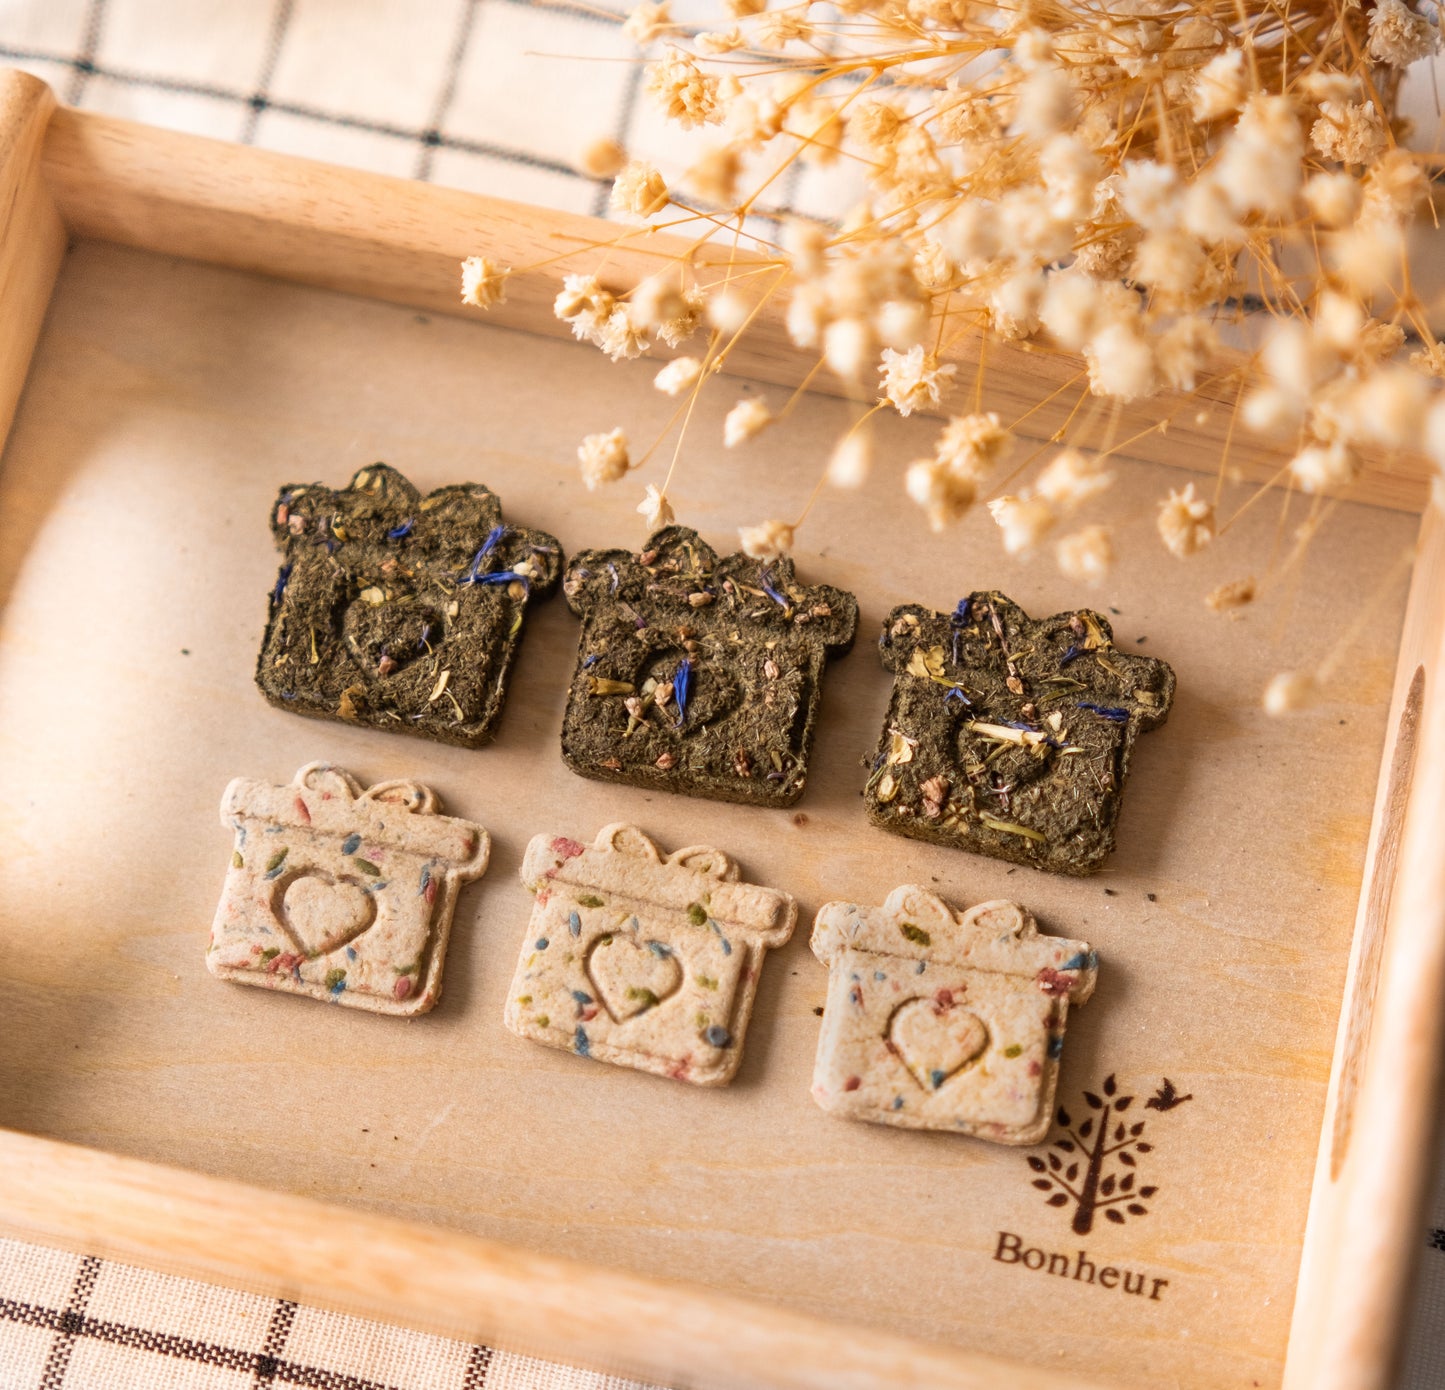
(696, 674)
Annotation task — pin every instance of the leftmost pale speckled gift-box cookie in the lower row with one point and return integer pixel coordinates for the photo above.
(340, 894)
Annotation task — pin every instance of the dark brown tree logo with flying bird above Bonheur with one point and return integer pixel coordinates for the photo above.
(1095, 1164)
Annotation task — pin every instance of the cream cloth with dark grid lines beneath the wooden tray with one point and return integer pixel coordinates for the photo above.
(495, 96)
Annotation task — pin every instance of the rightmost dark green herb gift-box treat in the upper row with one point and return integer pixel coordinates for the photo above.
(1011, 736)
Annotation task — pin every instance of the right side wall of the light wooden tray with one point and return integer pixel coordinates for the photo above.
(1378, 1152)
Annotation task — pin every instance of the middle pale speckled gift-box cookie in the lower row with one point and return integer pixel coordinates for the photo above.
(641, 960)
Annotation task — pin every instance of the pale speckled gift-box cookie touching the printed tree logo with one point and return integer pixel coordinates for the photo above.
(939, 1021)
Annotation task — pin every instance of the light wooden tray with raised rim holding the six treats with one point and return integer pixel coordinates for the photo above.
(174, 337)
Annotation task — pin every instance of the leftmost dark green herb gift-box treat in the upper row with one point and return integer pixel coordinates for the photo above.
(397, 610)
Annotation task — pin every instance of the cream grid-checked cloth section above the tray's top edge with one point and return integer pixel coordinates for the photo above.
(492, 96)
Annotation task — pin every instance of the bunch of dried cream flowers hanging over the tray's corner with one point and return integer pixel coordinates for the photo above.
(1106, 180)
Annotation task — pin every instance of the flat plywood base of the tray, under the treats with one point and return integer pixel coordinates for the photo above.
(170, 401)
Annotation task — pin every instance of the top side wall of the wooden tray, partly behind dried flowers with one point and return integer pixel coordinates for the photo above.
(392, 239)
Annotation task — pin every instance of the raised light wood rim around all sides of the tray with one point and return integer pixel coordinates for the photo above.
(70, 174)
